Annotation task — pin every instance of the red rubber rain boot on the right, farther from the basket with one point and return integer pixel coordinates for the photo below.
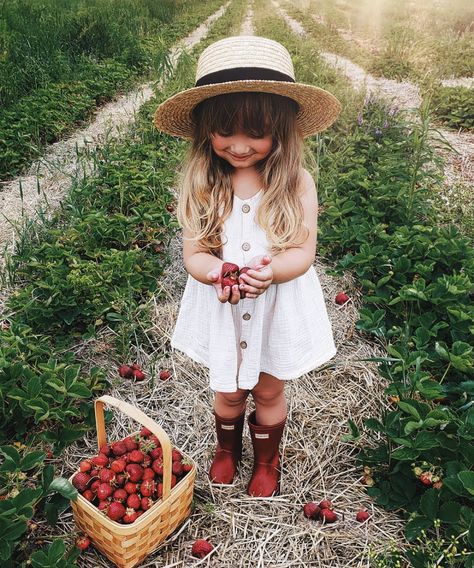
(265, 478)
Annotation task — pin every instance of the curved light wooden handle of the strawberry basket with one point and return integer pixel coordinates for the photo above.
(144, 420)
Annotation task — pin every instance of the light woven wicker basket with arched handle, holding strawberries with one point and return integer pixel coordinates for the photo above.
(128, 545)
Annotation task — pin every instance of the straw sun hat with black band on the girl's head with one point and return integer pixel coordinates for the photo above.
(247, 63)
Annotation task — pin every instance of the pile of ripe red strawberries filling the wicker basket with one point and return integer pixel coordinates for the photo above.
(126, 478)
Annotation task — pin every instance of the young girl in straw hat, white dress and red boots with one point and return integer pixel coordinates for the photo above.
(245, 198)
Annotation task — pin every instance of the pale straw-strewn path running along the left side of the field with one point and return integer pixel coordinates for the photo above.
(62, 163)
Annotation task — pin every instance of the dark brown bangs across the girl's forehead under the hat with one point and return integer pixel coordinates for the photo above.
(257, 114)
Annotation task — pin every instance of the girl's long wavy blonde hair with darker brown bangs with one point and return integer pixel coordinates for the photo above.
(206, 192)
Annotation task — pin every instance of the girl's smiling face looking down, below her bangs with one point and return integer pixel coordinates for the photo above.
(240, 150)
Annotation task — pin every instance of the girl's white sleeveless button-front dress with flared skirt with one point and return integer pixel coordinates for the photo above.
(285, 331)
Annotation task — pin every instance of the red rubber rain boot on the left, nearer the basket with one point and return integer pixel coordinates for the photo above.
(229, 449)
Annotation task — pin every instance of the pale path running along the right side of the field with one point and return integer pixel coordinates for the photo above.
(459, 164)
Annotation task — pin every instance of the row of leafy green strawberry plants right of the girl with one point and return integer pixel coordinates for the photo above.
(417, 280)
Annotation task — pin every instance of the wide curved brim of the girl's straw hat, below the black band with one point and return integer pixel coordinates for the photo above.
(318, 108)
